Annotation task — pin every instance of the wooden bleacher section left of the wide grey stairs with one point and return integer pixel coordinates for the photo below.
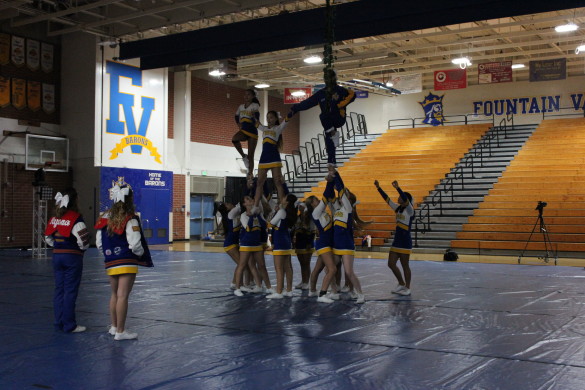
(417, 157)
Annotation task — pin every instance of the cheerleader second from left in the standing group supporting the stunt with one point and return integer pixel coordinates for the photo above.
(251, 248)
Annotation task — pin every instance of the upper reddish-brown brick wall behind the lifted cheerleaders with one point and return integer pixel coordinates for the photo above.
(213, 106)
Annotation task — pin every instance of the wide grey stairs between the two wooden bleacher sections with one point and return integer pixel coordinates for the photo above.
(448, 215)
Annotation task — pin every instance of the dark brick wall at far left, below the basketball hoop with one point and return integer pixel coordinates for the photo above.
(16, 202)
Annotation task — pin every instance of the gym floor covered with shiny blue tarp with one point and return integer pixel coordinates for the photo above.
(467, 325)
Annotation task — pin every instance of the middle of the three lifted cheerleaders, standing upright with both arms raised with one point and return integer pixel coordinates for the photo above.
(270, 157)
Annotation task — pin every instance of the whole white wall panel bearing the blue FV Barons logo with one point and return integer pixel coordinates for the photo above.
(133, 121)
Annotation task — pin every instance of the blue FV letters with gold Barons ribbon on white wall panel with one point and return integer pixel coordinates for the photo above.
(133, 130)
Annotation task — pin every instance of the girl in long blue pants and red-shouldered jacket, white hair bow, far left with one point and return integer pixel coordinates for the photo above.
(67, 234)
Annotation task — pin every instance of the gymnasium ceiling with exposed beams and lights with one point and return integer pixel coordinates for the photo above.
(518, 39)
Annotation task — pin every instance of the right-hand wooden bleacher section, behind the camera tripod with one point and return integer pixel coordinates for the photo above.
(550, 168)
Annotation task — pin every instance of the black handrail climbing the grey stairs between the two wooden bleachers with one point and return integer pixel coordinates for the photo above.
(492, 140)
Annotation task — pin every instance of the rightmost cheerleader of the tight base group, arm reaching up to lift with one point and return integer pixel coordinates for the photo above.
(345, 218)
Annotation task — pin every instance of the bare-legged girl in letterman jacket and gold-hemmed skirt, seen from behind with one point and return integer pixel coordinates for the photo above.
(119, 237)
